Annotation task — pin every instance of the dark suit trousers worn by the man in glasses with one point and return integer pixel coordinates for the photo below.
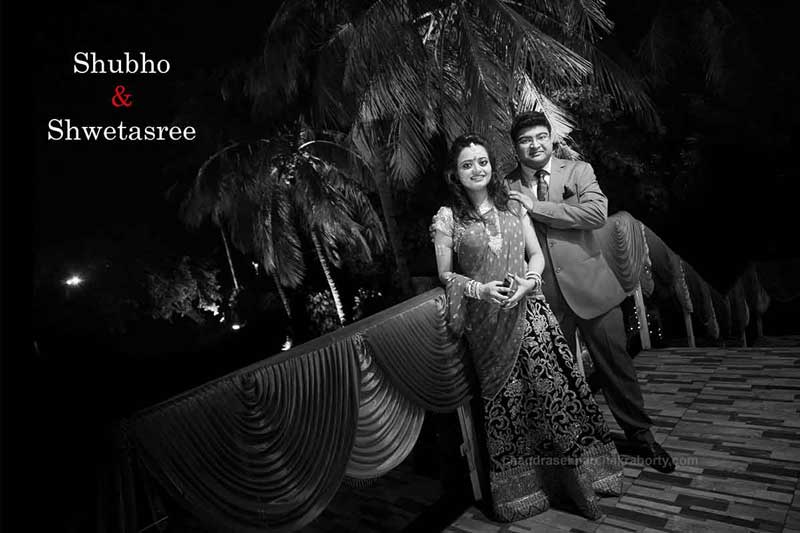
(605, 337)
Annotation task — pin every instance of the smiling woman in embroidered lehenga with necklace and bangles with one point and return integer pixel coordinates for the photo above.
(546, 437)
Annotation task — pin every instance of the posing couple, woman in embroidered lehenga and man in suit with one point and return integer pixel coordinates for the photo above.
(546, 437)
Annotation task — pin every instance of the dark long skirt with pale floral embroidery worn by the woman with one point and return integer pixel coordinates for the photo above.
(546, 437)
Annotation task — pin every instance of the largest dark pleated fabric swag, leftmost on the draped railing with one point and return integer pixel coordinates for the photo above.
(264, 448)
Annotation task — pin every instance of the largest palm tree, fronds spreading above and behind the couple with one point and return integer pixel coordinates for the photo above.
(397, 75)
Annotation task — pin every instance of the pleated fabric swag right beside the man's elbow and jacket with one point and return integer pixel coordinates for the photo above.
(624, 248)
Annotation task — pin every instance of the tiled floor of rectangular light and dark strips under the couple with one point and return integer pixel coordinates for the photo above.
(731, 420)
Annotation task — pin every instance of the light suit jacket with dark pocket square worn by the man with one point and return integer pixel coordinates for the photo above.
(565, 225)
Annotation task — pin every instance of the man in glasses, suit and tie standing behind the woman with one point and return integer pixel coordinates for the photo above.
(566, 204)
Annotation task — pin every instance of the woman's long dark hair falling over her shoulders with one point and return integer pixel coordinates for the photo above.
(459, 201)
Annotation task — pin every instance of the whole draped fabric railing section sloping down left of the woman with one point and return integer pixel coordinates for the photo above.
(265, 448)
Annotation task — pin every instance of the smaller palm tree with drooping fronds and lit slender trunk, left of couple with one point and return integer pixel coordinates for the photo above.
(272, 193)
